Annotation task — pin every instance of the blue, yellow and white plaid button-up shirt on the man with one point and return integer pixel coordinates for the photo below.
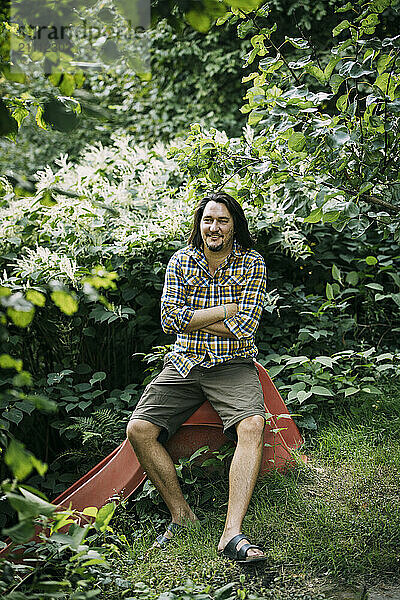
(189, 286)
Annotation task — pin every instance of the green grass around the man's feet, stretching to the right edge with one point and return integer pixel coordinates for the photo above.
(337, 517)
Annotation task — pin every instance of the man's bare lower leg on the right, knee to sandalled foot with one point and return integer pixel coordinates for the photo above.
(242, 478)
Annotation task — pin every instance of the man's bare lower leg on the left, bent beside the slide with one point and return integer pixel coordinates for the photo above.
(160, 468)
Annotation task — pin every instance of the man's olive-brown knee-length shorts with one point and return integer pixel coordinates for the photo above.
(232, 388)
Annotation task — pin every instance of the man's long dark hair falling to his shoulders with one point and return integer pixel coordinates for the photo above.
(240, 225)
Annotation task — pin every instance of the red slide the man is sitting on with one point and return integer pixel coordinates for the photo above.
(120, 472)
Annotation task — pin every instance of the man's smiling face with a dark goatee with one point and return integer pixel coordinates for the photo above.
(216, 227)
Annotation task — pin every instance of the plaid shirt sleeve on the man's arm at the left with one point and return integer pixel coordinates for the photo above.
(175, 315)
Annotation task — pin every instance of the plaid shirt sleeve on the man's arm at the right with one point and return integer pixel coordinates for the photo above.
(244, 324)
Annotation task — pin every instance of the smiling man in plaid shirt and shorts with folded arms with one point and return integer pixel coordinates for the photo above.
(212, 299)
